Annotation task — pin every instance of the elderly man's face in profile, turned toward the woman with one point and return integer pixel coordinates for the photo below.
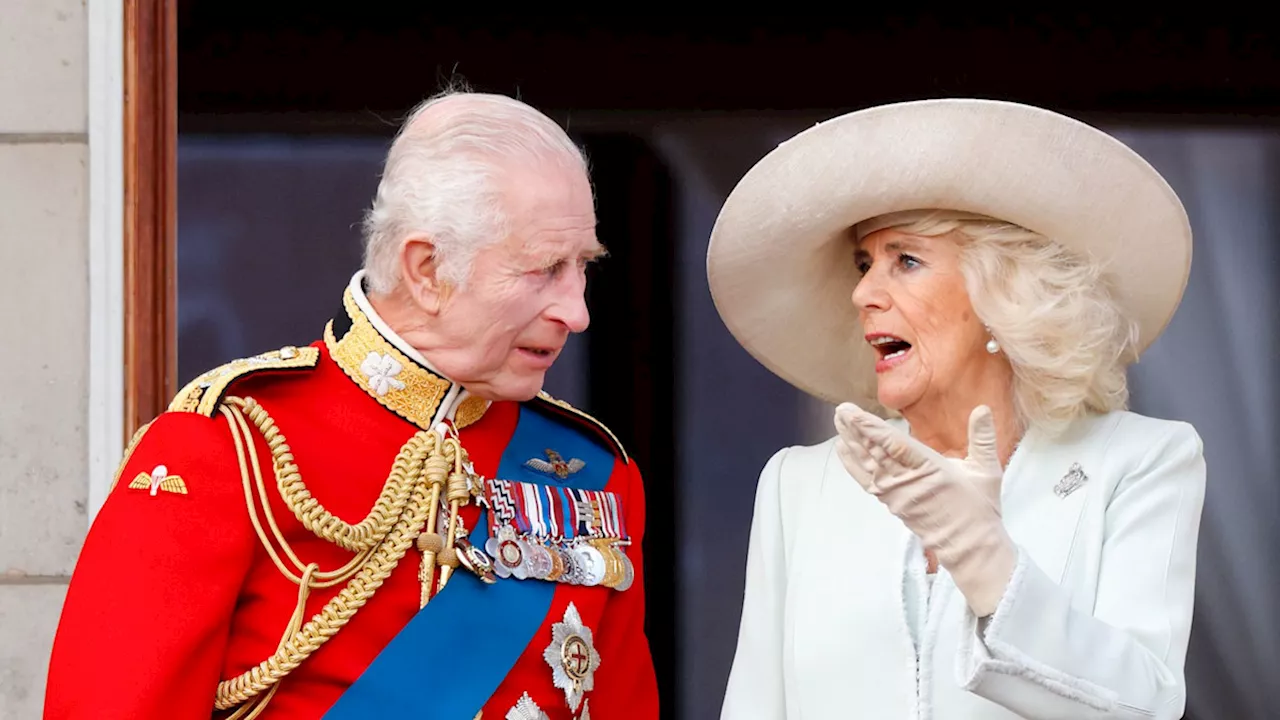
(527, 294)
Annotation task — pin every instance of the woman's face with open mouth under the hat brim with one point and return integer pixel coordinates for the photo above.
(917, 316)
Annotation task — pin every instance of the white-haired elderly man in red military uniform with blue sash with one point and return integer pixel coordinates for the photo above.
(395, 521)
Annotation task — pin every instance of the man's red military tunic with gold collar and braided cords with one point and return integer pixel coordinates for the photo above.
(176, 594)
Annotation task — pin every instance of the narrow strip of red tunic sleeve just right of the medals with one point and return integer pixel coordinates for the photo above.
(630, 687)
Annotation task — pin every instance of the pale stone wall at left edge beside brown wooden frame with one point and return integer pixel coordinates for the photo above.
(48, 323)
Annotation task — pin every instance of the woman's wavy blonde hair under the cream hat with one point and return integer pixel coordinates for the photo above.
(1052, 311)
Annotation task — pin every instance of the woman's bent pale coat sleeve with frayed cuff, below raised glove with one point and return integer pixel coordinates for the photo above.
(1045, 660)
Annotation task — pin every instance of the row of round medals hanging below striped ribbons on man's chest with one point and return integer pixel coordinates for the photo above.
(578, 562)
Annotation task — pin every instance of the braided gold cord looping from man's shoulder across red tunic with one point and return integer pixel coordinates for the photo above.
(426, 467)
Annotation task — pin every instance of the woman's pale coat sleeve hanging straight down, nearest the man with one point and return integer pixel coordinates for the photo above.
(756, 689)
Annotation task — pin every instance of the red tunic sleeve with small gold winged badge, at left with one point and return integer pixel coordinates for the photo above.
(149, 608)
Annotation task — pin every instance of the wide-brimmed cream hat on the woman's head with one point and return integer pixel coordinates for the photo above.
(781, 263)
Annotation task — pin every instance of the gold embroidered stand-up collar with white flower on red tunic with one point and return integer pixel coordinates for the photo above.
(391, 372)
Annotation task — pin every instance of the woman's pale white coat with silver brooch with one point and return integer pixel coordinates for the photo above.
(1094, 625)
